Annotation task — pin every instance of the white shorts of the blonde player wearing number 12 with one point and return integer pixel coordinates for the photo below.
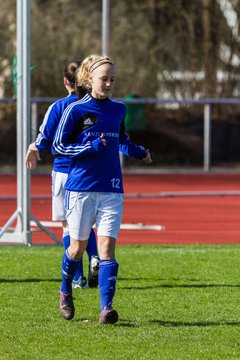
(84, 209)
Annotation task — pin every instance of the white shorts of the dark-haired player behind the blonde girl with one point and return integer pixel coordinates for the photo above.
(58, 195)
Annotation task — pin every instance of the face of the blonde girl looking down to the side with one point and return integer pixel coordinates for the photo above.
(102, 79)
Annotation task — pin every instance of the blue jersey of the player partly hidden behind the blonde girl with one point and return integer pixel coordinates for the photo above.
(48, 128)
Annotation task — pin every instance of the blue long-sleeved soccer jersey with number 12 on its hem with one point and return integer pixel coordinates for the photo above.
(94, 167)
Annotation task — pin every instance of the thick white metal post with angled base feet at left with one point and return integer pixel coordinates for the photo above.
(22, 232)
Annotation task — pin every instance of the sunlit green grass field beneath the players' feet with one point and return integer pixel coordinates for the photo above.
(174, 302)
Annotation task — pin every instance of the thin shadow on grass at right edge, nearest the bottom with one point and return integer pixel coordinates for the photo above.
(197, 323)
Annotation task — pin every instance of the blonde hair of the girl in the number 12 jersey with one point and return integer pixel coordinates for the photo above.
(88, 65)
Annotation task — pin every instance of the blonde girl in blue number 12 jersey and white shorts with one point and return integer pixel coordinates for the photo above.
(90, 132)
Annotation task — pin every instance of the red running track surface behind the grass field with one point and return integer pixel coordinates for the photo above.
(187, 219)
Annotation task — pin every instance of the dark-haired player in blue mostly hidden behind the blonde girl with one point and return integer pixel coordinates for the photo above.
(61, 164)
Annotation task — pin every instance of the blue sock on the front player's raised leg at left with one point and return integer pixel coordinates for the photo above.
(69, 267)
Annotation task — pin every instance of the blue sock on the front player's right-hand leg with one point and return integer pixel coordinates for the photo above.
(108, 270)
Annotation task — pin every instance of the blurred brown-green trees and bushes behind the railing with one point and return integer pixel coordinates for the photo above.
(160, 47)
